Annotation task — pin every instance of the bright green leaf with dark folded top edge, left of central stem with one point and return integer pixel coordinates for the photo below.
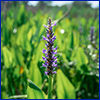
(34, 92)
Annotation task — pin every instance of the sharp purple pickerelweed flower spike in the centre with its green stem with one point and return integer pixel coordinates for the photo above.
(50, 59)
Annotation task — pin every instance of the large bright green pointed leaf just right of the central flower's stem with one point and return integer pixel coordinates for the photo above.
(65, 90)
